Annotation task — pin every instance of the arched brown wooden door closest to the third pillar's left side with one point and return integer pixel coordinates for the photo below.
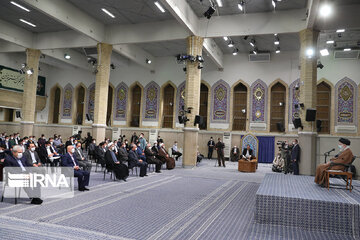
(168, 107)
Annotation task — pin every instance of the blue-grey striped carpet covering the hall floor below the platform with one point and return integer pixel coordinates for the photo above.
(203, 203)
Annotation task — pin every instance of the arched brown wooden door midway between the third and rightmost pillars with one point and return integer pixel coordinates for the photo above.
(239, 107)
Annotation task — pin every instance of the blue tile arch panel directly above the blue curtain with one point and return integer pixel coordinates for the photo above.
(258, 101)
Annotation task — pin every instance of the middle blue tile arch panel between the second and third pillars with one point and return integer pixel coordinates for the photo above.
(151, 102)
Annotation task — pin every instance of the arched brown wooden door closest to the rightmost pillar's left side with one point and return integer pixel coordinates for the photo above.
(277, 107)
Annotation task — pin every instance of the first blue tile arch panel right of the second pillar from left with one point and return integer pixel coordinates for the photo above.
(120, 102)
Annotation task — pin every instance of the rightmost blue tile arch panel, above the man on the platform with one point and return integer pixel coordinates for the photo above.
(346, 92)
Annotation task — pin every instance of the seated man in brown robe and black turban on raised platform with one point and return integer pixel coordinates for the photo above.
(344, 156)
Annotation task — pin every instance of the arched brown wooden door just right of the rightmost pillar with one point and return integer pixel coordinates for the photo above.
(323, 96)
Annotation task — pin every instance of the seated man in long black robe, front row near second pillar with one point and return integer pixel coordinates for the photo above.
(112, 163)
